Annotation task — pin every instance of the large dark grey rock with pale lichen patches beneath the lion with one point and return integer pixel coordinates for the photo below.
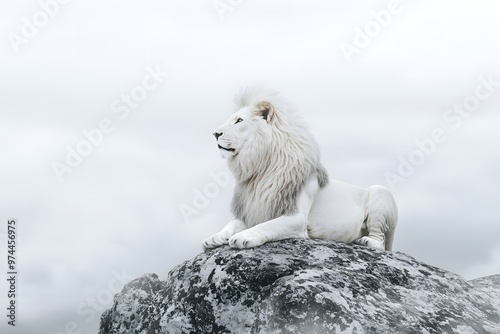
(305, 286)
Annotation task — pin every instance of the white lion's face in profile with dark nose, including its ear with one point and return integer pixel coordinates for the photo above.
(248, 130)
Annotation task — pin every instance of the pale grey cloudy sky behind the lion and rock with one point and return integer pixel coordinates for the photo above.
(107, 109)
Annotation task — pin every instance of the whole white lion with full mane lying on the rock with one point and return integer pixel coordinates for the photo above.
(282, 190)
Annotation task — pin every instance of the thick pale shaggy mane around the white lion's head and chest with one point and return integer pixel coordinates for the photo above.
(271, 173)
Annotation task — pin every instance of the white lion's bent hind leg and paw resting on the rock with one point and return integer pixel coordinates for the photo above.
(380, 218)
